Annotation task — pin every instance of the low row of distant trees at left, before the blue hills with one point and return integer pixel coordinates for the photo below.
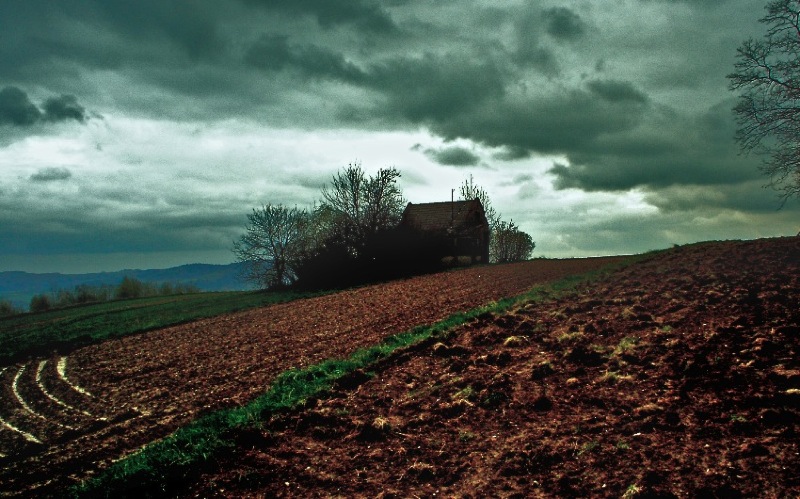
(84, 294)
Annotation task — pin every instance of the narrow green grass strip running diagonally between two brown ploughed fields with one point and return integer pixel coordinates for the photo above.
(164, 467)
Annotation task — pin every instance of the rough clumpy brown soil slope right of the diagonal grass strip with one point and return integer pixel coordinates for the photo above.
(676, 377)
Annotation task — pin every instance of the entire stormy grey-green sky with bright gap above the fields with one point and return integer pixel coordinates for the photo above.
(140, 134)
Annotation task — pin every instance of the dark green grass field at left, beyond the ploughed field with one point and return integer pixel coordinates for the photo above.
(29, 335)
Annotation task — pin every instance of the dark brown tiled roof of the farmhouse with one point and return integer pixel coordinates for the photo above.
(444, 215)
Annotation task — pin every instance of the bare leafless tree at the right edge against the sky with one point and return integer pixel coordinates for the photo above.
(767, 77)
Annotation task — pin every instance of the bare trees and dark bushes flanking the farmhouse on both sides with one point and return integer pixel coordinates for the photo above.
(352, 236)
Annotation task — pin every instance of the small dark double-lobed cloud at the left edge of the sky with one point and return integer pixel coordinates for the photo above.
(17, 109)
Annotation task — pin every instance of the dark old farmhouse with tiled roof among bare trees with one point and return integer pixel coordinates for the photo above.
(459, 227)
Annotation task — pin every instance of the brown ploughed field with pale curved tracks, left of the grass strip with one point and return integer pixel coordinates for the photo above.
(63, 419)
